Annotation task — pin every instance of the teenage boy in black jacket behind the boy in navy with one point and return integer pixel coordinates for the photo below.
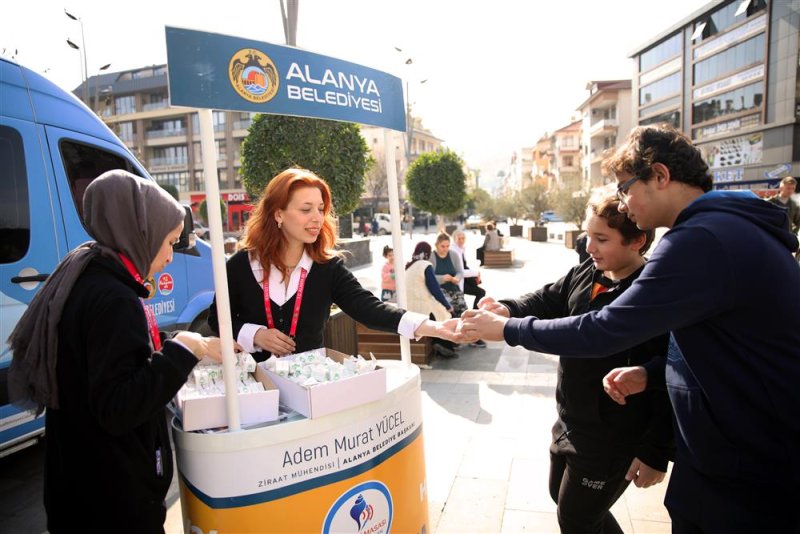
(598, 446)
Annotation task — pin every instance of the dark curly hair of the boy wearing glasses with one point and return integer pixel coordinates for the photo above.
(663, 144)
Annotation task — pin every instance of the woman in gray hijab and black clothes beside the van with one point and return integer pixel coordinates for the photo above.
(88, 350)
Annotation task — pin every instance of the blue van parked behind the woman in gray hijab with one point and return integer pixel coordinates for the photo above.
(51, 148)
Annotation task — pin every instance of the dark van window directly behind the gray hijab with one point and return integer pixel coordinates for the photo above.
(83, 163)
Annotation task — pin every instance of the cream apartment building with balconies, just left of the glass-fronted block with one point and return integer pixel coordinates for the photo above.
(606, 118)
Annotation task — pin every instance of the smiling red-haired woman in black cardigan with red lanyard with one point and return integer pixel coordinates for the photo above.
(287, 274)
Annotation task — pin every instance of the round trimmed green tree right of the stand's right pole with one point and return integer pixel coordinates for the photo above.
(436, 183)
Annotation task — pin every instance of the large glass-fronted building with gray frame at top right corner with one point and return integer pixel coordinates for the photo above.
(727, 75)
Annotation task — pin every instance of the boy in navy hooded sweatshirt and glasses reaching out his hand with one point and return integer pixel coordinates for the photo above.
(724, 283)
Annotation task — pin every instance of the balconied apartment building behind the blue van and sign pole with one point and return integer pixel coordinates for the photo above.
(135, 105)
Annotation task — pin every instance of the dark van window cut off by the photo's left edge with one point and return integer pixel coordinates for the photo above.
(15, 222)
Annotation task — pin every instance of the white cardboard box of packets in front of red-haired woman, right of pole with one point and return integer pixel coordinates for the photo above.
(330, 397)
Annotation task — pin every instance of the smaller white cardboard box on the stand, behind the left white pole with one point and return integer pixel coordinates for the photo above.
(211, 412)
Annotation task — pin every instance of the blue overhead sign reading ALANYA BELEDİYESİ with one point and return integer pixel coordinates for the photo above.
(208, 70)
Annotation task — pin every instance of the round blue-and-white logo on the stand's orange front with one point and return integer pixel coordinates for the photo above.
(363, 509)
